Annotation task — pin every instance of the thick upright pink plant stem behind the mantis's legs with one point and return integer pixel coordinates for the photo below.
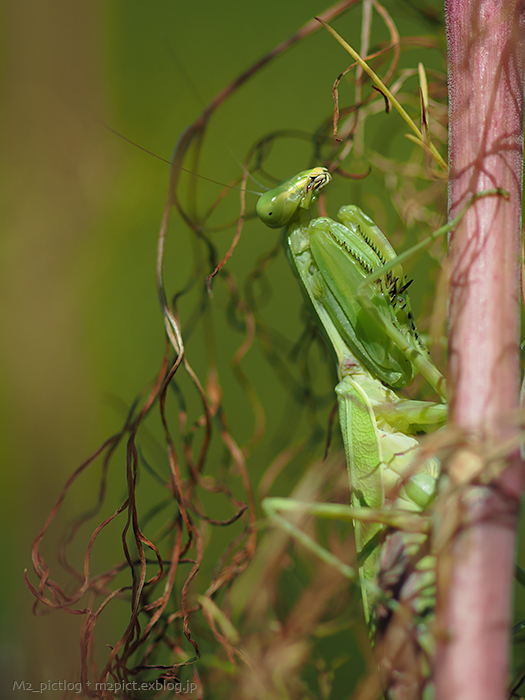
(475, 569)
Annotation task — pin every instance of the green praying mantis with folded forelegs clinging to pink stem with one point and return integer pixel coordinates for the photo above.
(353, 282)
